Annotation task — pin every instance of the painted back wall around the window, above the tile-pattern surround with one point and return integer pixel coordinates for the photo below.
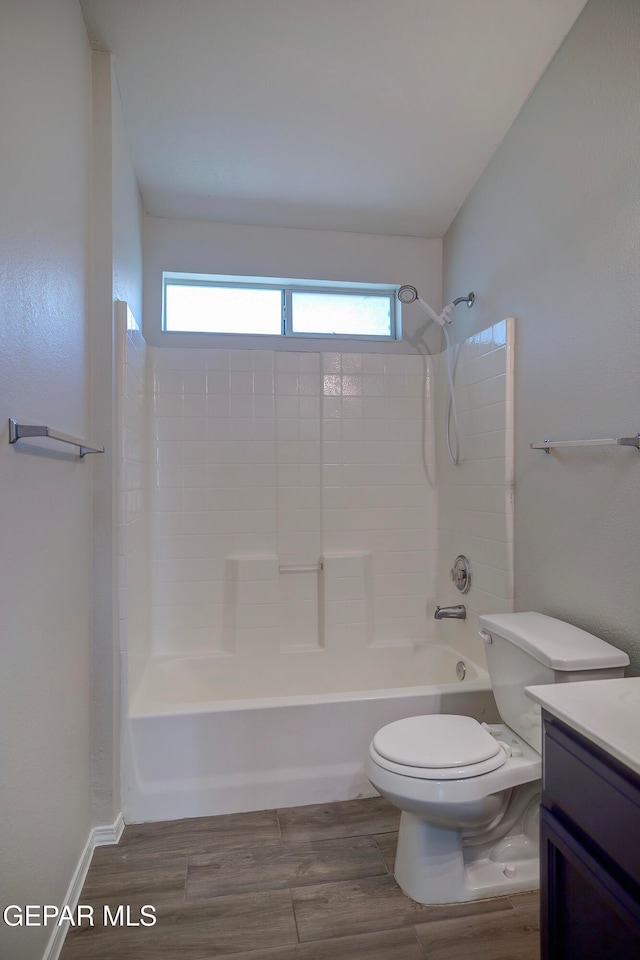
(223, 248)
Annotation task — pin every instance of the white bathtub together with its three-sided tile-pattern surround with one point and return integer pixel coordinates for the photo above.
(278, 568)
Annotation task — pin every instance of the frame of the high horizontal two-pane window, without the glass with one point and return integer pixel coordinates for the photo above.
(287, 288)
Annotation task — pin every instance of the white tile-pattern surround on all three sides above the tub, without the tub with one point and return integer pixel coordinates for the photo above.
(293, 500)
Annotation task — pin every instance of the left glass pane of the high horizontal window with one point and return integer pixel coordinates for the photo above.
(208, 309)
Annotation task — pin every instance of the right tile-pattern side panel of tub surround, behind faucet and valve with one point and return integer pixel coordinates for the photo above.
(476, 497)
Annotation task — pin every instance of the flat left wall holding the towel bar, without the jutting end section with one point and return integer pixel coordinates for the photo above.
(45, 548)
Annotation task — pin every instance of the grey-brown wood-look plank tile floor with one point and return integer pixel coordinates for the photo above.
(305, 883)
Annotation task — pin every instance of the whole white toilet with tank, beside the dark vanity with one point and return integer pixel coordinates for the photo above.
(469, 792)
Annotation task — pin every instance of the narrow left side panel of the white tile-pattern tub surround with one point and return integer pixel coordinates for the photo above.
(133, 491)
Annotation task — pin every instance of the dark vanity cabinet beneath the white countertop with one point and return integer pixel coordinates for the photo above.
(590, 850)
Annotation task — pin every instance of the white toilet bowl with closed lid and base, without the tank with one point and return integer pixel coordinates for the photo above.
(455, 818)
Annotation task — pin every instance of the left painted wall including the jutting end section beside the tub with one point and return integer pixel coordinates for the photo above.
(70, 242)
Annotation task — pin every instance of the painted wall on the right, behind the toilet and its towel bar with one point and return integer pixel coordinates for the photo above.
(551, 235)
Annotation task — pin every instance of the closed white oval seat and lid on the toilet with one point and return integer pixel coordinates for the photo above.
(437, 747)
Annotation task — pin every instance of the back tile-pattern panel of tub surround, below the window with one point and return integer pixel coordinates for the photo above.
(266, 460)
